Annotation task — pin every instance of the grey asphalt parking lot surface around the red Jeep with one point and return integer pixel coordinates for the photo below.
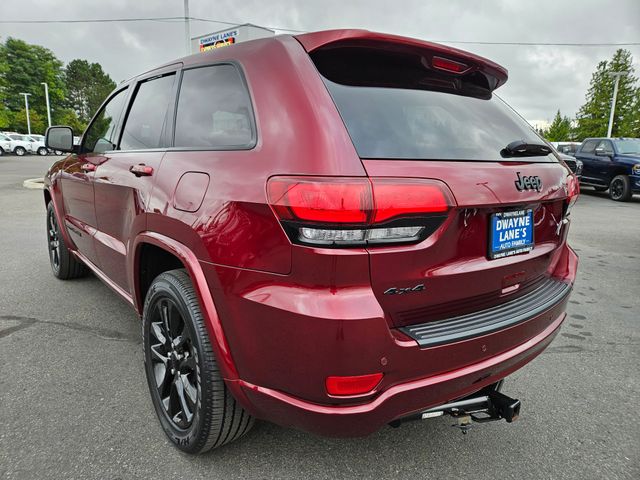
(74, 400)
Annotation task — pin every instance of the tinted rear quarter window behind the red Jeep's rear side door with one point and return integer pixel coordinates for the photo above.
(214, 109)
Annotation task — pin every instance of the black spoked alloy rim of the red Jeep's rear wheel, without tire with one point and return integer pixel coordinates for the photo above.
(174, 360)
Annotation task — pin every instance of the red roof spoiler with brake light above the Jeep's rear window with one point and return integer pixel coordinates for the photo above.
(435, 56)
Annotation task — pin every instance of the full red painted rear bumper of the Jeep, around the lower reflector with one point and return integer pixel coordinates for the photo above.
(285, 341)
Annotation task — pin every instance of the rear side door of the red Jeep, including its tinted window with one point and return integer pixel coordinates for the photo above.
(124, 178)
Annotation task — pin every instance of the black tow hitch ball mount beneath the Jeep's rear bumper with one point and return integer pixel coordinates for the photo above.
(487, 405)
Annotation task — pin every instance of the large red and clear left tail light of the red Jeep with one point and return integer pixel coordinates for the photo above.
(342, 212)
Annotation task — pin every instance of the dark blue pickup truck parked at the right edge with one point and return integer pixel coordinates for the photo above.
(613, 164)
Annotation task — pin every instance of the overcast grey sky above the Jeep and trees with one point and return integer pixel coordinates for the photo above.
(541, 78)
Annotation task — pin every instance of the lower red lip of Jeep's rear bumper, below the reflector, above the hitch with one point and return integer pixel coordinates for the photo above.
(397, 401)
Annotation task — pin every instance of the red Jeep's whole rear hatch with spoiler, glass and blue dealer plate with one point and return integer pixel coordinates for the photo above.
(416, 110)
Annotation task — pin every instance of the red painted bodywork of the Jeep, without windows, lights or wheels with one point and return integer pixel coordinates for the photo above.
(283, 317)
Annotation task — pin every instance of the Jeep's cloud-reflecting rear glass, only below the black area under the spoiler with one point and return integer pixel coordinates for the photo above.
(403, 123)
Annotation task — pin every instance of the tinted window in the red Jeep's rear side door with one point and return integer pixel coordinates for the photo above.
(147, 116)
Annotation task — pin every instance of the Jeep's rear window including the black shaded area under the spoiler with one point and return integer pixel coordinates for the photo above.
(396, 105)
